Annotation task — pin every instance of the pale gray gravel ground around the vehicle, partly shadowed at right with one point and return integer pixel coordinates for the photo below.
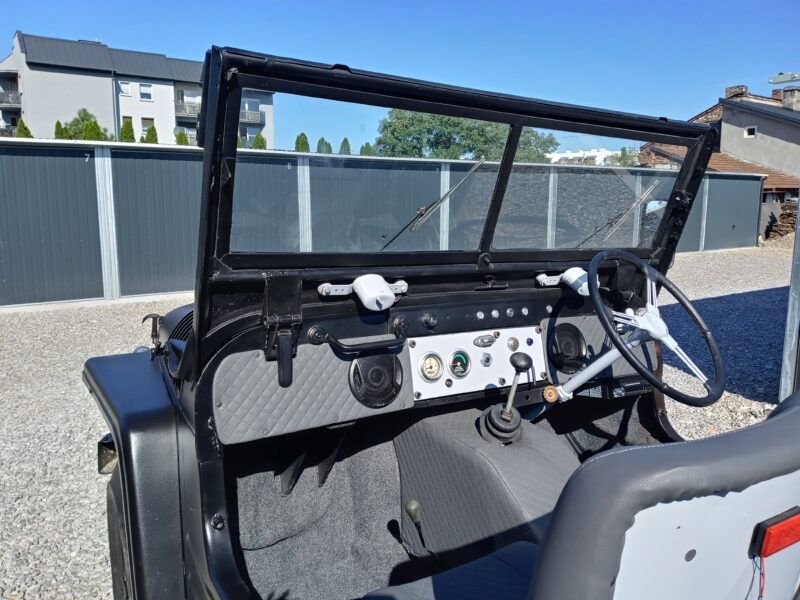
(52, 501)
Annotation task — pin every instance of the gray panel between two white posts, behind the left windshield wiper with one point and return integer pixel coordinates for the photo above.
(382, 195)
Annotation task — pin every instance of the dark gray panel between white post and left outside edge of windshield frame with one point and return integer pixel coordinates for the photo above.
(157, 212)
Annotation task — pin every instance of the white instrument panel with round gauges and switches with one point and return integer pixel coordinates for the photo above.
(461, 363)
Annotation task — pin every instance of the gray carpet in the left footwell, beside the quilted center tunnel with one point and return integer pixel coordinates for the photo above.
(333, 541)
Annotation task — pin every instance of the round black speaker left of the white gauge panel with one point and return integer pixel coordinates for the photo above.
(376, 380)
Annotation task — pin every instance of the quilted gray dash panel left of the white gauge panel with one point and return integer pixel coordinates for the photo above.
(250, 405)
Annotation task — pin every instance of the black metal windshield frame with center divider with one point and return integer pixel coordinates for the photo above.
(227, 71)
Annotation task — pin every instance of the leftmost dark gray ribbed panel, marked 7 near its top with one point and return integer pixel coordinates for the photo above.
(49, 234)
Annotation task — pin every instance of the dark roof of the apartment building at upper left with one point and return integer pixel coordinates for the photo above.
(99, 57)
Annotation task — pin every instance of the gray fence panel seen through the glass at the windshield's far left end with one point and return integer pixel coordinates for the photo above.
(265, 211)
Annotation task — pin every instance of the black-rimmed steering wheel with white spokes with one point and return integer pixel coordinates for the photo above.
(646, 324)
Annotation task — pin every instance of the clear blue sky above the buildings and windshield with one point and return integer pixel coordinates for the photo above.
(670, 59)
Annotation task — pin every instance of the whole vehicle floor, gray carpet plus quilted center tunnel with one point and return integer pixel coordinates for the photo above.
(342, 539)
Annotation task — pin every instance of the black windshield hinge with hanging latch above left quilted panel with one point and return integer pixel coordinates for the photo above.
(282, 317)
